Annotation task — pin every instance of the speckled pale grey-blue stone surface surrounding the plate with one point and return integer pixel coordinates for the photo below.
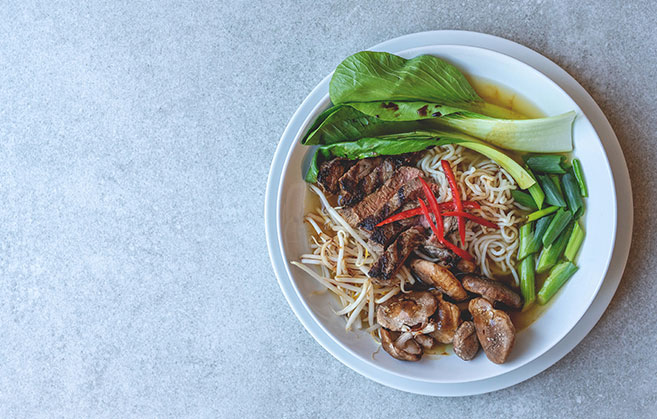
(135, 143)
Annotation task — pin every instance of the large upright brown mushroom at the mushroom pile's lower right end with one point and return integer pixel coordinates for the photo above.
(494, 328)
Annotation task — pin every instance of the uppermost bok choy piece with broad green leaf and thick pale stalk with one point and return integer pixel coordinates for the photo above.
(434, 94)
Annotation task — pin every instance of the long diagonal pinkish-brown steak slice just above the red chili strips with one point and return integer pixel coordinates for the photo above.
(373, 203)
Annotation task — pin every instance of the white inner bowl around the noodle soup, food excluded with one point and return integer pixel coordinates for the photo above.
(570, 303)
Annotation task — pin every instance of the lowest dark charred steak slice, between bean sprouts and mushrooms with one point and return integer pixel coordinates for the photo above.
(386, 266)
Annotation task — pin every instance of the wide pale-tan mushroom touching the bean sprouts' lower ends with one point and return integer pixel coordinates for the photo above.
(406, 310)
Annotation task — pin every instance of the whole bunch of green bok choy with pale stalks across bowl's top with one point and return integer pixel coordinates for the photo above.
(380, 98)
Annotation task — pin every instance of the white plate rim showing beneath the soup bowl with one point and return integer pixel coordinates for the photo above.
(418, 40)
